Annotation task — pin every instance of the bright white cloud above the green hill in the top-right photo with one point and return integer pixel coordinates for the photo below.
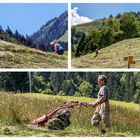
(77, 19)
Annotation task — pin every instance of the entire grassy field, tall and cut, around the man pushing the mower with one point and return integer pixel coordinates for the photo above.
(18, 110)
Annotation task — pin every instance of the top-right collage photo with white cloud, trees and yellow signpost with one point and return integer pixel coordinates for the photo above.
(105, 35)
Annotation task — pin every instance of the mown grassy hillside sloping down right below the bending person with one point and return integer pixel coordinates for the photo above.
(19, 56)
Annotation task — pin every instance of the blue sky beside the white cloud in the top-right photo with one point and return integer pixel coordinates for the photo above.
(100, 10)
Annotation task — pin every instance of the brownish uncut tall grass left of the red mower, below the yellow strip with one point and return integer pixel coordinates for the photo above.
(17, 108)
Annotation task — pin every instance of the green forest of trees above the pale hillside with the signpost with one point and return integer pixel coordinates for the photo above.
(112, 29)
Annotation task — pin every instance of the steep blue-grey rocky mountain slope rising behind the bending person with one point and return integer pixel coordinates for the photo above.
(52, 30)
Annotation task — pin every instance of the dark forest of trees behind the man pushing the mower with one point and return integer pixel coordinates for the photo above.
(123, 86)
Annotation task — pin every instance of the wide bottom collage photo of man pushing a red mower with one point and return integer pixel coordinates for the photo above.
(77, 104)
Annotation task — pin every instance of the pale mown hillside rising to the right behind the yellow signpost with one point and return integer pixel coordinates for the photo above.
(111, 56)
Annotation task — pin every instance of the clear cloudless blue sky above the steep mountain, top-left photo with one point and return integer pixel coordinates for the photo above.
(28, 18)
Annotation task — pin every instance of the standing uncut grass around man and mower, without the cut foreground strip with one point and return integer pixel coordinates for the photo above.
(23, 108)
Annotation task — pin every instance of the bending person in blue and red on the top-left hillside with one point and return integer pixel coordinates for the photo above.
(57, 48)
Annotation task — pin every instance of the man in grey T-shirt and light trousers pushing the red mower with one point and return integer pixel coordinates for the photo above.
(102, 105)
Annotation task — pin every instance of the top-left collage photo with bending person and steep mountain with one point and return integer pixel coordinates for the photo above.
(33, 35)
